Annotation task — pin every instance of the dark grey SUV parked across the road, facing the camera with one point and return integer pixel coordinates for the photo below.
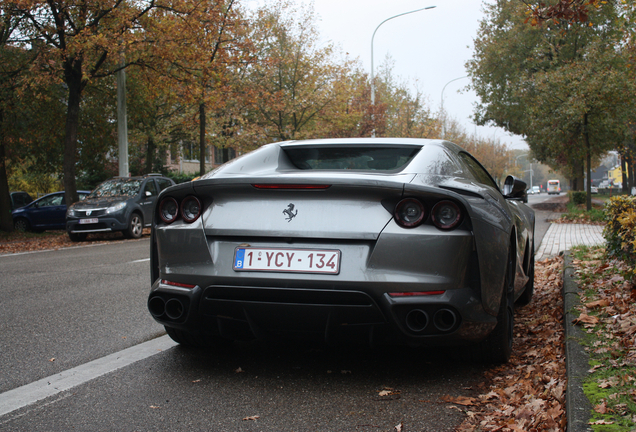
(120, 204)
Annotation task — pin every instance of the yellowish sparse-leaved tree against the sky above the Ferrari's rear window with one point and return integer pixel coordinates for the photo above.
(293, 79)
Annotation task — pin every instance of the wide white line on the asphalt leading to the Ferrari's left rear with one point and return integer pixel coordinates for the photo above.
(50, 386)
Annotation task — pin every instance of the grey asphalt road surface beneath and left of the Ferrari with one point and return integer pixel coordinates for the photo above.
(63, 309)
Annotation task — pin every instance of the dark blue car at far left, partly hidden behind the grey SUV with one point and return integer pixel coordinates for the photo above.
(45, 213)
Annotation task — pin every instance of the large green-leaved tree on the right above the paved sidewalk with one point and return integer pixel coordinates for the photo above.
(560, 84)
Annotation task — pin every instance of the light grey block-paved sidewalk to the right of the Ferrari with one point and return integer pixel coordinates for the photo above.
(561, 237)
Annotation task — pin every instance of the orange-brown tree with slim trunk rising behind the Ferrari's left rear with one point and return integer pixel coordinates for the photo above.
(208, 40)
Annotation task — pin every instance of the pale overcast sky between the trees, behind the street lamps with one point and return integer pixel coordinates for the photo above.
(430, 47)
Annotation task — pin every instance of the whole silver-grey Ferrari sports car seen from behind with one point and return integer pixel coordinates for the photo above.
(371, 239)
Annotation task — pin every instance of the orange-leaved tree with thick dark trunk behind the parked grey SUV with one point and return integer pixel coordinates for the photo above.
(79, 41)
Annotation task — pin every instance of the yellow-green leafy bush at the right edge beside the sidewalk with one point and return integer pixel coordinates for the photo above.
(620, 228)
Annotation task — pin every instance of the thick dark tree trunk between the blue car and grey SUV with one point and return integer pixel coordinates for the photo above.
(74, 83)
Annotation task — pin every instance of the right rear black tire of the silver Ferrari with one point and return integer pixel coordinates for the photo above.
(497, 347)
